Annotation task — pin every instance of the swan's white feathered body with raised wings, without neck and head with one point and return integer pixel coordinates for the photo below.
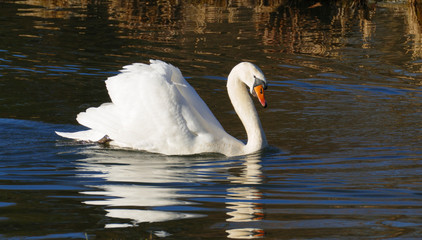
(155, 109)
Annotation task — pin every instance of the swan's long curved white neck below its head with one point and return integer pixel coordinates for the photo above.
(246, 111)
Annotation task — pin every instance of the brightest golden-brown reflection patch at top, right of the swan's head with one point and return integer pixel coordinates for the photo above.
(303, 27)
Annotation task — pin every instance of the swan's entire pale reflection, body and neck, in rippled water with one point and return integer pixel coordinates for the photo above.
(135, 187)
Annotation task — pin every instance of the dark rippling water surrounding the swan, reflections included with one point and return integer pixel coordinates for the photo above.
(343, 122)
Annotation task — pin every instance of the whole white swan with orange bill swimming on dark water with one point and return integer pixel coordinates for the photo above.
(155, 109)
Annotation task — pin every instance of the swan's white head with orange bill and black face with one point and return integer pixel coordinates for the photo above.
(253, 77)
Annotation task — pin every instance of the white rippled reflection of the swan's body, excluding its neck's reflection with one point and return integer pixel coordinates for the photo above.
(137, 180)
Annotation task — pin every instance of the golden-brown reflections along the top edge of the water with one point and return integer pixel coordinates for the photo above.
(294, 26)
